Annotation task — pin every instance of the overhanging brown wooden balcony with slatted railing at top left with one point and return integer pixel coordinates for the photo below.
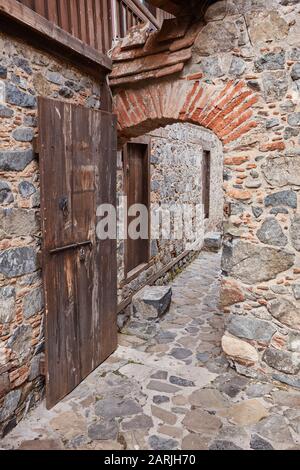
(81, 30)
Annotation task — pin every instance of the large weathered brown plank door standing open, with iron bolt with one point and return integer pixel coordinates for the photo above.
(78, 173)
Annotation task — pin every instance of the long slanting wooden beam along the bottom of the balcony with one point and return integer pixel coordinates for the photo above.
(51, 33)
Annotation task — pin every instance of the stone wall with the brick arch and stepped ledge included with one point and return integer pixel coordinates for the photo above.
(237, 73)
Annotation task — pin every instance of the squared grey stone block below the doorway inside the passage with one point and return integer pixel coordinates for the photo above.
(151, 302)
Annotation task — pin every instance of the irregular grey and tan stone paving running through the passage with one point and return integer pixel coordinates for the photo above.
(173, 391)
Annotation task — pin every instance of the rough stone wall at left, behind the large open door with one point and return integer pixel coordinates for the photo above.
(25, 73)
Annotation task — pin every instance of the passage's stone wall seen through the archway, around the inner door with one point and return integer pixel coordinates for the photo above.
(176, 177)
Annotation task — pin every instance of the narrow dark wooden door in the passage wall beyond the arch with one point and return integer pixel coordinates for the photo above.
(137, 190)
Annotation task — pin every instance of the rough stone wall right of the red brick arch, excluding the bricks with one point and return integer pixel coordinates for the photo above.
(259, 43)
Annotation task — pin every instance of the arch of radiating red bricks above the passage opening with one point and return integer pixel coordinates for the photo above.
(227, 111)
